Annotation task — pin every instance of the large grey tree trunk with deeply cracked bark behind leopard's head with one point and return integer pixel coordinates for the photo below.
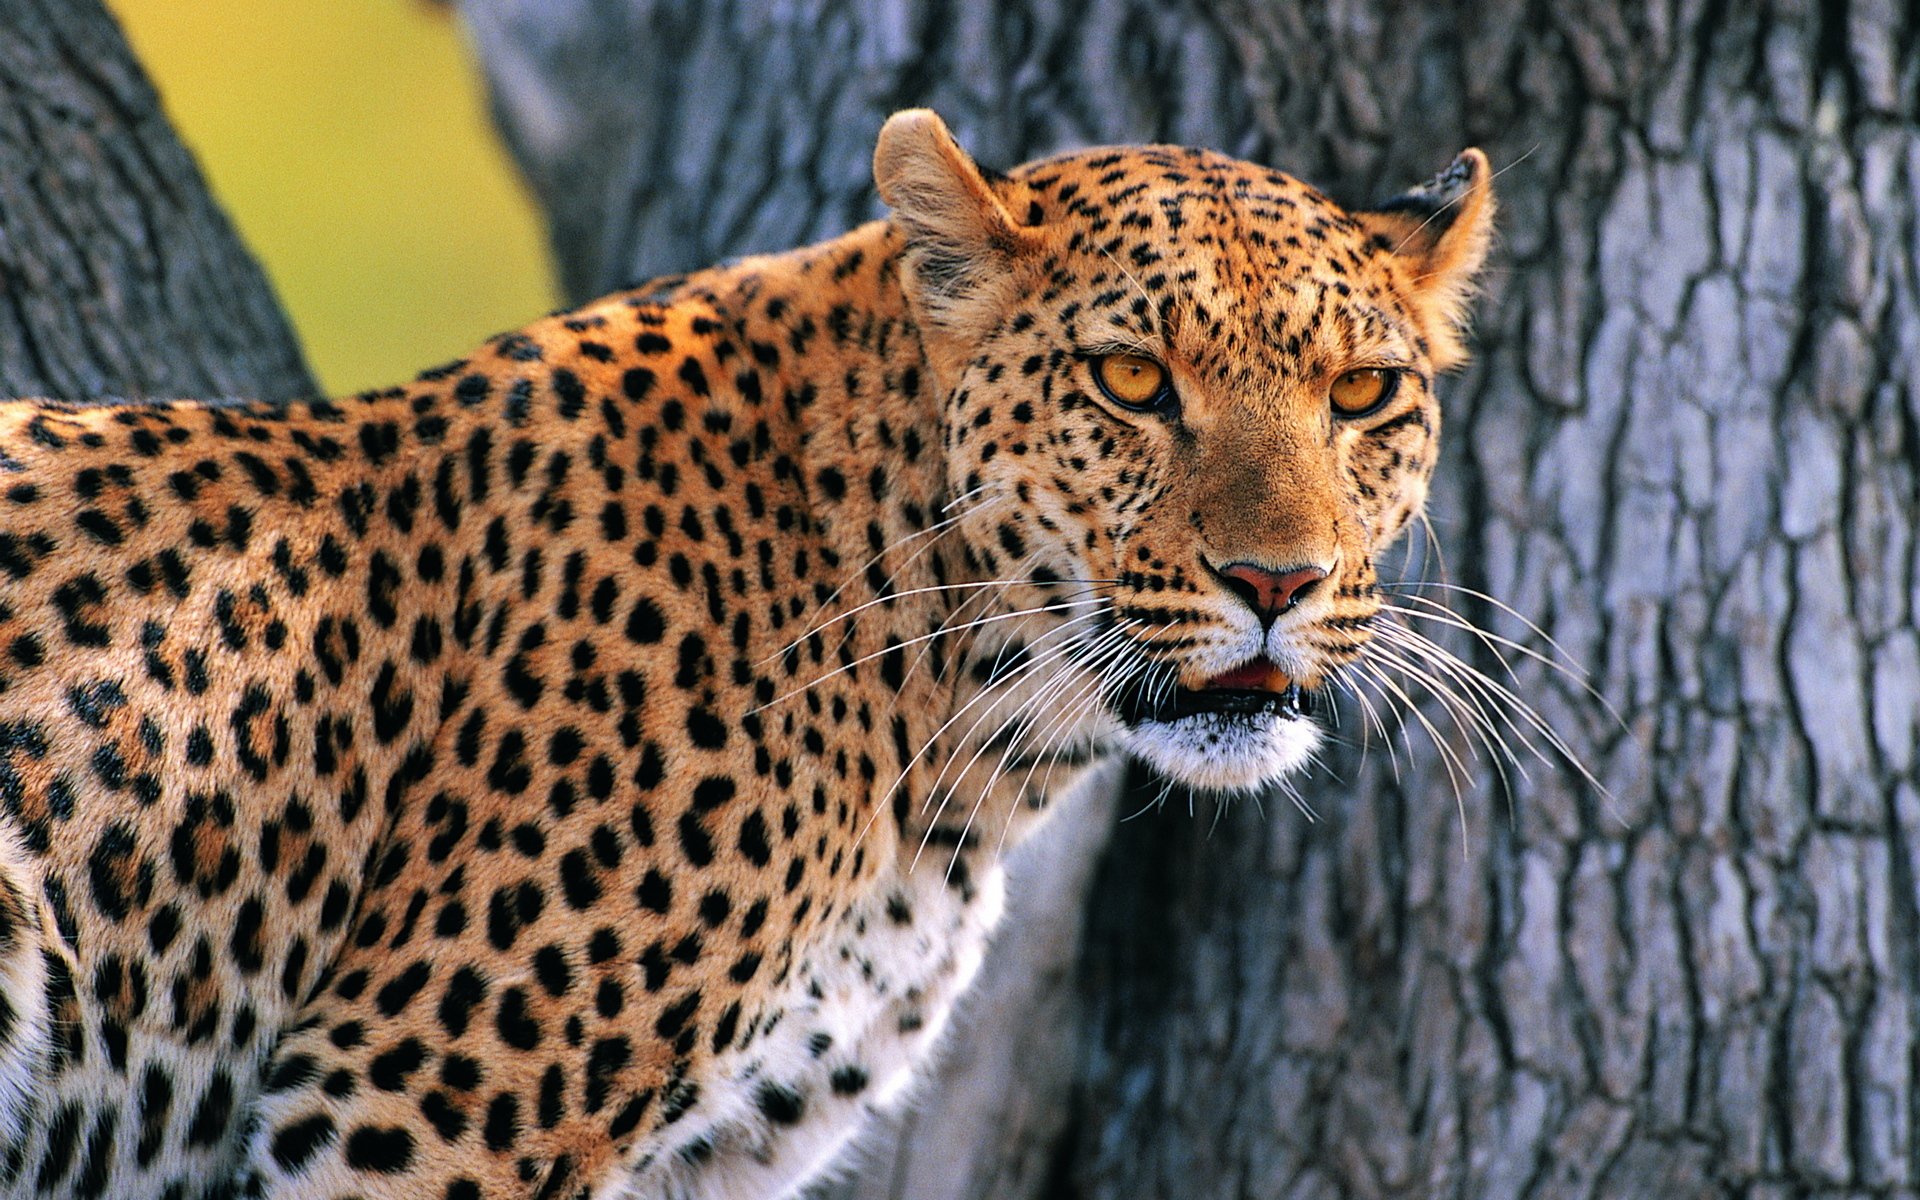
(1687, 450)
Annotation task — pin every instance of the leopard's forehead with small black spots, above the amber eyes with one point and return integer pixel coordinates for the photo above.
(1239, 266)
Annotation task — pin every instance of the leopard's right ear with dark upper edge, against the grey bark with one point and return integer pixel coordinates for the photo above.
(1443, 229)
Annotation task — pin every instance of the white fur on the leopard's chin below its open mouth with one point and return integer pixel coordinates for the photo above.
(1226, 752)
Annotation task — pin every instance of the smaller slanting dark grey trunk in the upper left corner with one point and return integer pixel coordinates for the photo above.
(120, 276)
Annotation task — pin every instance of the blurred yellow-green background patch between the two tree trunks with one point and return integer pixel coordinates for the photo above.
(350, 143)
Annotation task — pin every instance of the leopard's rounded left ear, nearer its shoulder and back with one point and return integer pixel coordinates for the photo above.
(961, 237)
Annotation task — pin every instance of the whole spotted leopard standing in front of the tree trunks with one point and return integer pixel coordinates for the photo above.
(587, 771)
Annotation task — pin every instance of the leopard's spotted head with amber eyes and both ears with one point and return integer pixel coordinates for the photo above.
(1201, 396)
